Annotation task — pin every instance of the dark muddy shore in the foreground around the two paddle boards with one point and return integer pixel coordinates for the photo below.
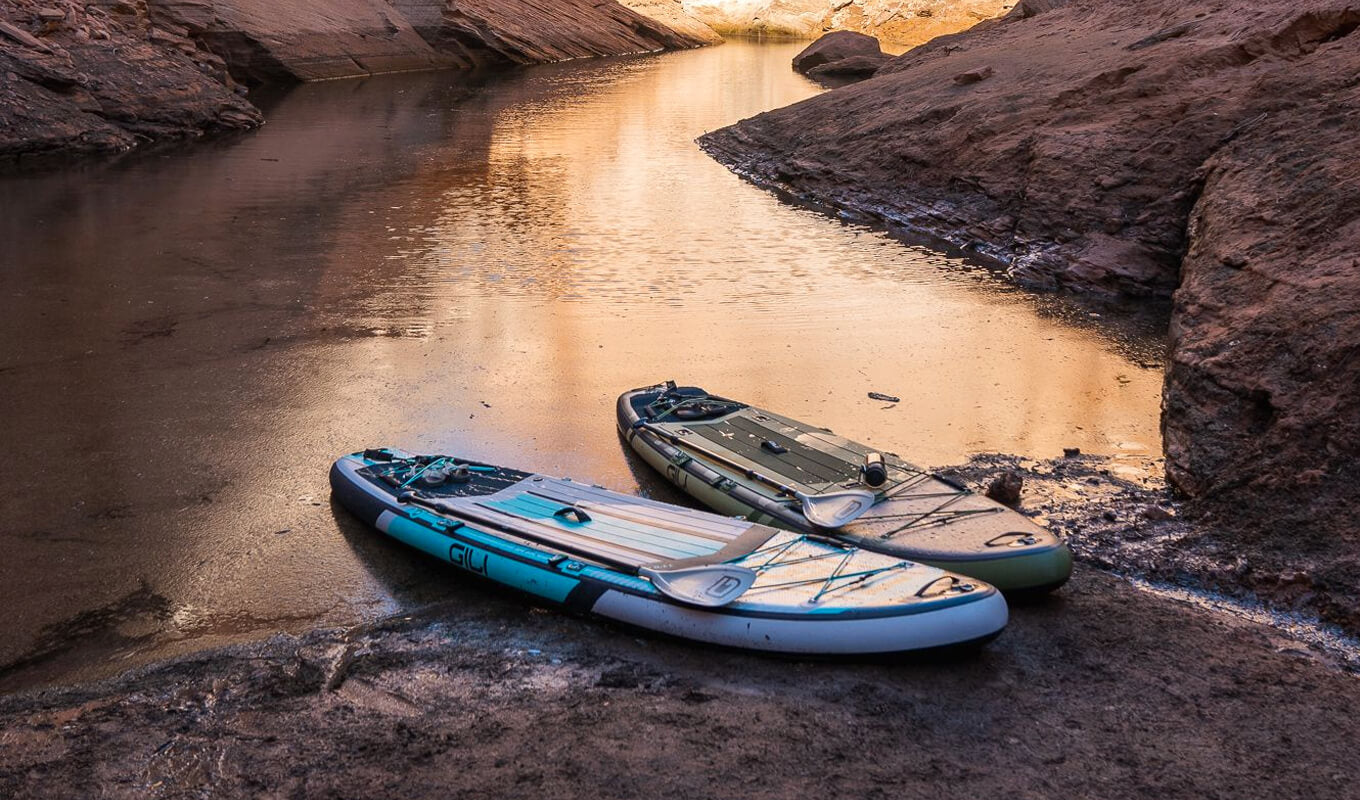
(1101, 690)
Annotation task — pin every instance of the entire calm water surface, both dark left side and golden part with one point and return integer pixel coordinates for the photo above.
(192, 337)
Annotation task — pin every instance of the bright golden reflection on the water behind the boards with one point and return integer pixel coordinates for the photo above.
(602, 251)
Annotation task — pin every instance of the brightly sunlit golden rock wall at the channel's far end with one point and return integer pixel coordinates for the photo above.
(908, 22)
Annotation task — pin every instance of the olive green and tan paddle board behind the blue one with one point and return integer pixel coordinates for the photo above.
(743, 461)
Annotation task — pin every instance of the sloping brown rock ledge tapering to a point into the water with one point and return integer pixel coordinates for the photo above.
(1068, 144)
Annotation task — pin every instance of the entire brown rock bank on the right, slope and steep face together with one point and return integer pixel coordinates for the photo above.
(1144, 149)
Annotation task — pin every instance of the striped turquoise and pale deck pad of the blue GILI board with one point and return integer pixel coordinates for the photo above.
(621, 530)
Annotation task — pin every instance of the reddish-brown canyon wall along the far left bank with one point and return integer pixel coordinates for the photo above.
(105, 76)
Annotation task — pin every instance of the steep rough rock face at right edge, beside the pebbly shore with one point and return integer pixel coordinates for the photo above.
(1263, 394)
